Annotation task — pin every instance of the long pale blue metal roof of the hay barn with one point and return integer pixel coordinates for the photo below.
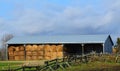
(58, 39)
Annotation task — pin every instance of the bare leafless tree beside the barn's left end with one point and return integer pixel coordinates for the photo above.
(4, 39)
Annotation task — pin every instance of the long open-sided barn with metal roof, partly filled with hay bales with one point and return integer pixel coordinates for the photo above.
(51, 47)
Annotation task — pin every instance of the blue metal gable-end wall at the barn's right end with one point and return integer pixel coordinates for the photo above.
(108, 45)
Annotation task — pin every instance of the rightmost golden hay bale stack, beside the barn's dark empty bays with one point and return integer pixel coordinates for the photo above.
(53, 52)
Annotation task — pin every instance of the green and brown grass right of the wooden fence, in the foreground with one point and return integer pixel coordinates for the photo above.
(94, 66)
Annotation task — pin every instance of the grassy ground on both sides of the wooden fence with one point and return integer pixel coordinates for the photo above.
(91, 66)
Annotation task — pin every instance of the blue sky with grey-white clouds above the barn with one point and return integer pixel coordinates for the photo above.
(59, 17)
